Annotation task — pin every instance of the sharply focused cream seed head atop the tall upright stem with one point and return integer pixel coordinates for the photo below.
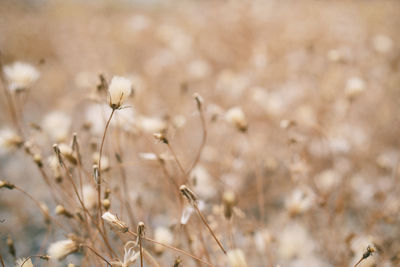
(119, 89)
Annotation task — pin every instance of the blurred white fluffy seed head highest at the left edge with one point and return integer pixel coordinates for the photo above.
(20, 75)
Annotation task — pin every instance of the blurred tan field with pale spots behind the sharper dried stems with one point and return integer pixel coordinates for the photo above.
(315, 175)
